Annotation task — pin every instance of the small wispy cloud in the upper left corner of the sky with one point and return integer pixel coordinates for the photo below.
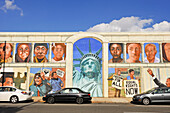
(9, 5)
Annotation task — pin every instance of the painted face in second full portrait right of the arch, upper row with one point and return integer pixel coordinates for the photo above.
(134, 51)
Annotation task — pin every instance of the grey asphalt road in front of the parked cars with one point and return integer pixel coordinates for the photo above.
(35, 107)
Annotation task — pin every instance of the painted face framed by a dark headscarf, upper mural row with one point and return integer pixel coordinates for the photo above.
(23, 51)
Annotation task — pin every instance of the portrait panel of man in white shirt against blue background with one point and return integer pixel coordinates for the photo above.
(151, 53)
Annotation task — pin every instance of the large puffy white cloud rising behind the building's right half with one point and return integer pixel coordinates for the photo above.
(130, 24)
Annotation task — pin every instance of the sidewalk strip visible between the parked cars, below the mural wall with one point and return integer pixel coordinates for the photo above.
(97, 100)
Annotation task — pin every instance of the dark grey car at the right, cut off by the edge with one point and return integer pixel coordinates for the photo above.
(157, 94)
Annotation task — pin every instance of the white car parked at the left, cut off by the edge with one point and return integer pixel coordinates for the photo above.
(12, 94)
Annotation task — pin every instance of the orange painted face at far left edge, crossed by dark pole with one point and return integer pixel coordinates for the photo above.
(8, 50)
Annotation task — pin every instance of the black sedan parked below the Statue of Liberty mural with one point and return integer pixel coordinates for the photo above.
(68, 94)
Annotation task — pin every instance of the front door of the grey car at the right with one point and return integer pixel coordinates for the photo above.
(157, 95)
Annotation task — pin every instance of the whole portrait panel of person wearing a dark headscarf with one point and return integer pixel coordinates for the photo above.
(23, 52)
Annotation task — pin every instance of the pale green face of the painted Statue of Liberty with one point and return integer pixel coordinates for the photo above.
(89, 68)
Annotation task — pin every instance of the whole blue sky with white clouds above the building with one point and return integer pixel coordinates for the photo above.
(84, 15)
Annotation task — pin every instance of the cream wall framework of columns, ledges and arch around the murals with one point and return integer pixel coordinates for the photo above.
(69, 38)
